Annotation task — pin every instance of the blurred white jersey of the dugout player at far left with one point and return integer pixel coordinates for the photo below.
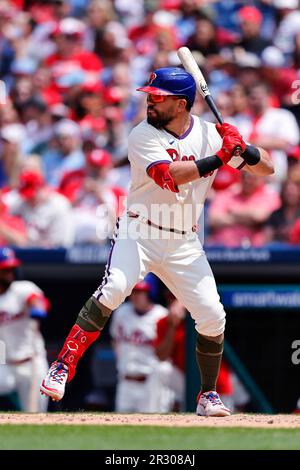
(17, 332)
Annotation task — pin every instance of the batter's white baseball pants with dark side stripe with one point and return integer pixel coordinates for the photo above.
(178, 260)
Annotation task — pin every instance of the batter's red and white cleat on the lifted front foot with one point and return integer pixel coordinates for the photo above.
(54, 383)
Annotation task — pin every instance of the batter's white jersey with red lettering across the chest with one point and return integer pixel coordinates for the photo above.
(148, 146)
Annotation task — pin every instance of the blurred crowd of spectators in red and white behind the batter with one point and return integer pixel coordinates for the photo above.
(70, 69)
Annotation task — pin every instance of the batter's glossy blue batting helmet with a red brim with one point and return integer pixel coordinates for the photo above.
(171, 81)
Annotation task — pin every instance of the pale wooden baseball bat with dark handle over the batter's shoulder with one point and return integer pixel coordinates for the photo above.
(188, 61)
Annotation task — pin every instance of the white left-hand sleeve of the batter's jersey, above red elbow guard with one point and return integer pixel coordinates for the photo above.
(145, 149)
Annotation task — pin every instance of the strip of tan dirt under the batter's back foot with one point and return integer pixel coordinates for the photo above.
(181, 420)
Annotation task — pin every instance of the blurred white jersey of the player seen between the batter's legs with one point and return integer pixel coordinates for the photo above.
(134, 335)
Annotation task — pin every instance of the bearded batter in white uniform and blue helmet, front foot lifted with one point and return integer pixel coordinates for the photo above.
(174, 157)
